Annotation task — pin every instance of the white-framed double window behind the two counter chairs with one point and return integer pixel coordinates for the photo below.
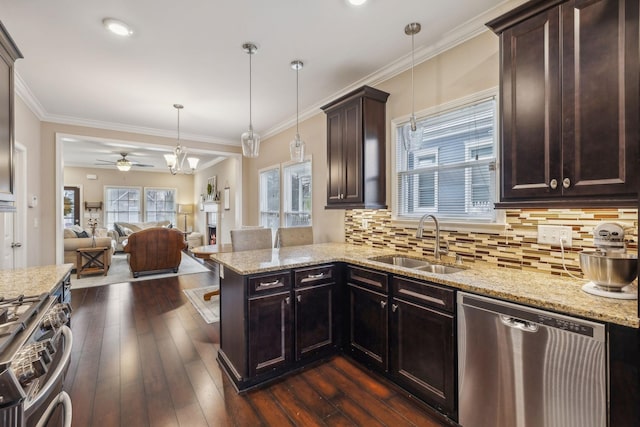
(293, 209)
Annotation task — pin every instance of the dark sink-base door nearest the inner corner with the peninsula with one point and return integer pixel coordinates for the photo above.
(368, 316)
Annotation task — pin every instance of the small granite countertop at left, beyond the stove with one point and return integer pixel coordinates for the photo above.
(32, 280)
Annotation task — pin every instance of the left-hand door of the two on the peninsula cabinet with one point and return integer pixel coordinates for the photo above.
(269, 332)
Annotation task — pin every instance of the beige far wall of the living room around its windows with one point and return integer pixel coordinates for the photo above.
(92, 190)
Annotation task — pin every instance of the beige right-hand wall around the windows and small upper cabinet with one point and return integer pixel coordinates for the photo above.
(464, 70)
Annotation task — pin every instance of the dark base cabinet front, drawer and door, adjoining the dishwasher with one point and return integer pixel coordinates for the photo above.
(423, 343)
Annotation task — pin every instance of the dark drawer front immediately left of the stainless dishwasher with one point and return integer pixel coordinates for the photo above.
(424, 293)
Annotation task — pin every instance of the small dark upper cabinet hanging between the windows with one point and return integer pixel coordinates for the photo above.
(356, 129)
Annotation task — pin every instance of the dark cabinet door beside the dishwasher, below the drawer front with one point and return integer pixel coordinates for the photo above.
(423, 353)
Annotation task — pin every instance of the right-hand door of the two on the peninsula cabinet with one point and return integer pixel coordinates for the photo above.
(314, 319)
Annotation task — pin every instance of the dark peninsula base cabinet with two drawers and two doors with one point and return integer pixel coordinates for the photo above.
(272, 323)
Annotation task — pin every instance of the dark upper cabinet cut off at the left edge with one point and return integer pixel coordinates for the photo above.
(8, 55)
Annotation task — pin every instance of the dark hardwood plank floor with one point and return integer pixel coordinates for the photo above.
(143, 356)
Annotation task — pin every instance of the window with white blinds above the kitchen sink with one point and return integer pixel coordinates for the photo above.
(449, 169)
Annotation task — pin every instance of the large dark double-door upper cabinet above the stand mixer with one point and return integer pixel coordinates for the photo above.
(570, 103)
